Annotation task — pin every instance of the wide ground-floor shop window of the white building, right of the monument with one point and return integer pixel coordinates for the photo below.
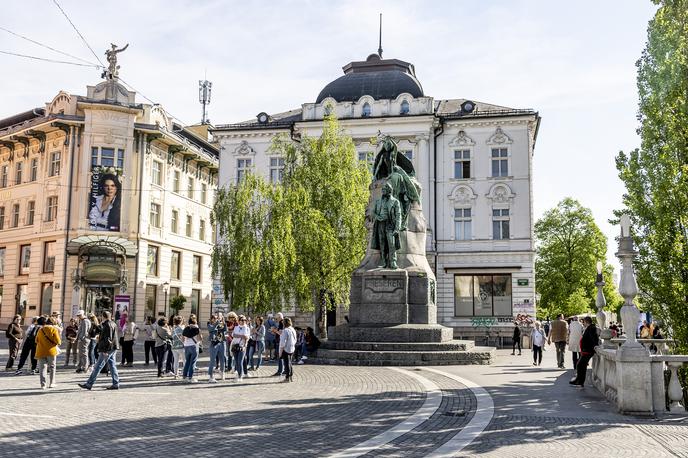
(482, 295)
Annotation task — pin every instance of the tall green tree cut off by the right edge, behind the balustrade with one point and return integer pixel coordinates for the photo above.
(656, 175)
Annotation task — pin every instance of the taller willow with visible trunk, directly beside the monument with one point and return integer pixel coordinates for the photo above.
(327, 189)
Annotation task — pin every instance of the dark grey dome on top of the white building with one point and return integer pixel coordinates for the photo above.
(378, 78)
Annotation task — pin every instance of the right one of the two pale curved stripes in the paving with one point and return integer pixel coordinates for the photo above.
(483, 416)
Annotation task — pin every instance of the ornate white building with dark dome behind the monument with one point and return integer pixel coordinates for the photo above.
(473, 159)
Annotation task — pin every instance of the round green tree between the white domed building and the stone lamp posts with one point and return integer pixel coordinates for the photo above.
(569, 244)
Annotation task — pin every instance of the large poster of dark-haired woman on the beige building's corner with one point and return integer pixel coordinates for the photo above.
(105, 199)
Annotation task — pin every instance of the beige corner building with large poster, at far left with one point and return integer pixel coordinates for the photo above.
(104, 205)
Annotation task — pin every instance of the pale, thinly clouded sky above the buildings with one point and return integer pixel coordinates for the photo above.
(573, 62)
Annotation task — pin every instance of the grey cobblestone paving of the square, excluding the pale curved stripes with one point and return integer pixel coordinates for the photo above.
(327, 410)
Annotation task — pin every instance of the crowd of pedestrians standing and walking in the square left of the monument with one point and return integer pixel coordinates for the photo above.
(236, 344)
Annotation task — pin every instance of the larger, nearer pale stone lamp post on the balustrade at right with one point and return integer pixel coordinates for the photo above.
(628, 288)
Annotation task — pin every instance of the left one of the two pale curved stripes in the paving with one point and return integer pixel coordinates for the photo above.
(432, 402)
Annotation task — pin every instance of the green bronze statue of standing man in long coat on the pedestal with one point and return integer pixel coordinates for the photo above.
(386, 227)
